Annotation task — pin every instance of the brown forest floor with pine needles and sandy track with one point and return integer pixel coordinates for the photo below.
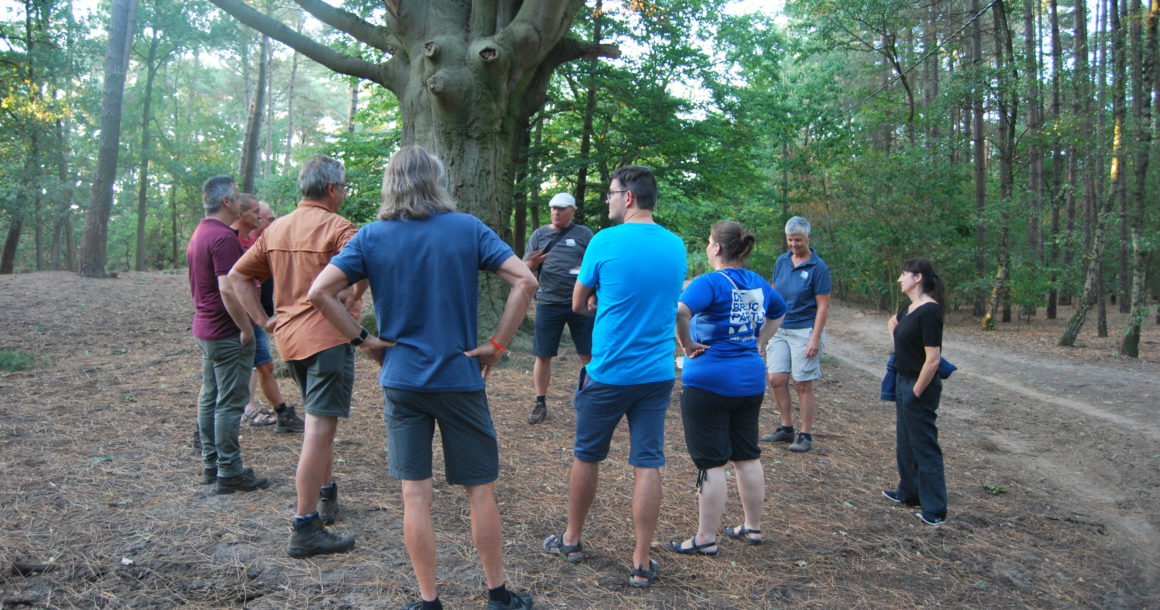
(103, 505)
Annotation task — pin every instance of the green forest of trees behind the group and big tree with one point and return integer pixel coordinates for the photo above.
(1012, 143)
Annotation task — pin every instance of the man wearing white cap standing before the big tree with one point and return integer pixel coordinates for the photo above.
(555, 251)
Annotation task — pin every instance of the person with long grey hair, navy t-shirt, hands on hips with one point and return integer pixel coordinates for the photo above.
(424, 260)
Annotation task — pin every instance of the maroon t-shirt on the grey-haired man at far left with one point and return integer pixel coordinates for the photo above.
(213, 251)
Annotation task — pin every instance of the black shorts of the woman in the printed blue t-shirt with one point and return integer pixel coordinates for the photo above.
(720, 430)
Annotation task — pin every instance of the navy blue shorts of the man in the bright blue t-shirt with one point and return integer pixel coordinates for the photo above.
(599, 411)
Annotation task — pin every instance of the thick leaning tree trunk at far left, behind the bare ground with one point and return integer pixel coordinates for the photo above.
(117, 64)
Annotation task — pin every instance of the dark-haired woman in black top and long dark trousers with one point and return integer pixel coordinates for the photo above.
(917, 332)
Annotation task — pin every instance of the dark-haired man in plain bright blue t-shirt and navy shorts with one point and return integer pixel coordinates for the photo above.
(632, 278)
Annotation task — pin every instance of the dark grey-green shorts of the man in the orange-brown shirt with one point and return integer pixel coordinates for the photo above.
(327, 381)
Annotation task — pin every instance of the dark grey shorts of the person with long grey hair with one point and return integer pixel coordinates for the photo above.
(472, 452)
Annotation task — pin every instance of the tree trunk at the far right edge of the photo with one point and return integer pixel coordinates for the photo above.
(1144, 66)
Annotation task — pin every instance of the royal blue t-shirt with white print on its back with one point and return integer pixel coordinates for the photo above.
(729, 309)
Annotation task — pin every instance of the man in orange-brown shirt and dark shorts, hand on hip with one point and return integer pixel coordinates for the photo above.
(320, 358)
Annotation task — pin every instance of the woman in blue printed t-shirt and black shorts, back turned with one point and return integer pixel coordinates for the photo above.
(721, 321)
